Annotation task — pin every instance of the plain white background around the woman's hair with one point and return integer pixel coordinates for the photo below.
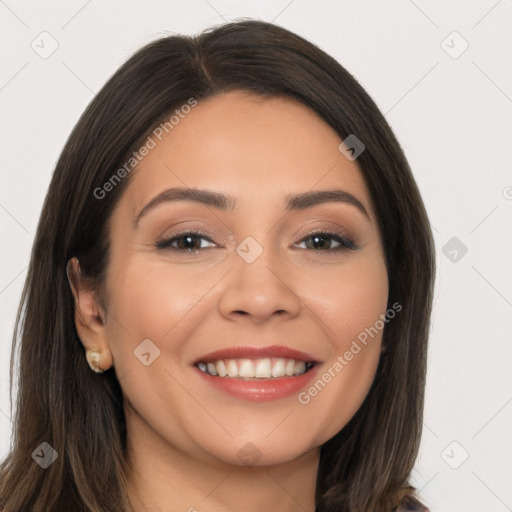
(451, 115)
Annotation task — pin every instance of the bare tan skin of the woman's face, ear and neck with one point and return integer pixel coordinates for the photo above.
(183, 435)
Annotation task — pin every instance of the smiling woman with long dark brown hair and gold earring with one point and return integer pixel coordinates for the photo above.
(234, 243)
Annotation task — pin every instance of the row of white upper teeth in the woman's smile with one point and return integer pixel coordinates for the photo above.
(259, 368)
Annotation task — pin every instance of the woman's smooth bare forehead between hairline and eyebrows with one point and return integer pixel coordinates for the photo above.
(256, 149)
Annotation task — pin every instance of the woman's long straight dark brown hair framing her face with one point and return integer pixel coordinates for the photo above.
(366, 466)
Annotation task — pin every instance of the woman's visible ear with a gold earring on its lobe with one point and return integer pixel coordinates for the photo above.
(89, 319)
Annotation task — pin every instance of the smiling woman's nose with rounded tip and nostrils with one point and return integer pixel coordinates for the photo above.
(259, 290)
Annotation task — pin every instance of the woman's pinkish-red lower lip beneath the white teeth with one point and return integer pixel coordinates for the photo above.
(261, 390)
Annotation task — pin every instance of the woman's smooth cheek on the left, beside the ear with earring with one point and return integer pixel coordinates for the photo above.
(157, 303)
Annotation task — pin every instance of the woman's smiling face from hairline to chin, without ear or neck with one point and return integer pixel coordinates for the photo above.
(257, 269)
